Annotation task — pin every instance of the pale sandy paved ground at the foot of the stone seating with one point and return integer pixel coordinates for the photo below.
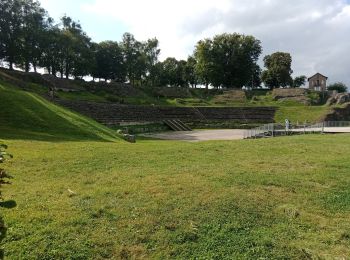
(200, 135)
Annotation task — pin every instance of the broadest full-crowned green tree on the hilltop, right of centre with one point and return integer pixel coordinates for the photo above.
(227, 60)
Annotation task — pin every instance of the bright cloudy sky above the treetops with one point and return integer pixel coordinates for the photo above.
(315, 32)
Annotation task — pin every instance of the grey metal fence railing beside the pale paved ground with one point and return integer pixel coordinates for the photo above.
(272, 130)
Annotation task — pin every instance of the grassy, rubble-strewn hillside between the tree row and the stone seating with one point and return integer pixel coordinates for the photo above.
(116, 93)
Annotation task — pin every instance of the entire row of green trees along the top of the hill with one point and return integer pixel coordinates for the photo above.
(31, 39)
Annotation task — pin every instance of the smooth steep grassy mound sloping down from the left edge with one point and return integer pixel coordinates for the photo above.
(25, 115)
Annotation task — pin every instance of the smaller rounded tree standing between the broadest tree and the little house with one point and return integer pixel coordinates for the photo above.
(278, 72)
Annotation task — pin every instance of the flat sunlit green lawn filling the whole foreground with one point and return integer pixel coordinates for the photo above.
(277, 198)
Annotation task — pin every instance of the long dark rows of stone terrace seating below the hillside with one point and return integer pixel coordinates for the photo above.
(114, 114)
